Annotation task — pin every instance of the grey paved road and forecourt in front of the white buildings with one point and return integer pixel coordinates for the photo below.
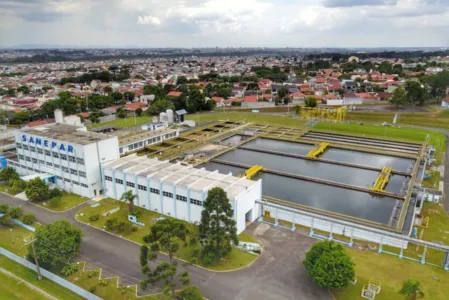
(277, 274)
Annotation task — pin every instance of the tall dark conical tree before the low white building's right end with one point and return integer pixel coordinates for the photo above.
(217, 227)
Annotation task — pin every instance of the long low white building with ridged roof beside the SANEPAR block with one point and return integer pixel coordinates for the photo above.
(179, 190)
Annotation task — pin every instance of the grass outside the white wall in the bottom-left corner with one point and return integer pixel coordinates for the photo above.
(31, 277)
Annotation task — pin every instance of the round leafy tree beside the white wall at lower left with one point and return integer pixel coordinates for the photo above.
(55, 244)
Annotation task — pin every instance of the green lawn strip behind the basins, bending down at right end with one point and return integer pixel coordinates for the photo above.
(411, 134)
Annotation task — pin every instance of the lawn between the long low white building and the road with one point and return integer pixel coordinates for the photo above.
(236, 258)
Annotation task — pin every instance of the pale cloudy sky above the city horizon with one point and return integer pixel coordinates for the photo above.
(225, 23)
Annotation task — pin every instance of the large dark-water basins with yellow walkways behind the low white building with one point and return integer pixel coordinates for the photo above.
(355, 202)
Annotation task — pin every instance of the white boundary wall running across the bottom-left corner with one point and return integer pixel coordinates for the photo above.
(61, 281)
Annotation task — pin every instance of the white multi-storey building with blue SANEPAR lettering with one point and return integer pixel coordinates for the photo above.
(69, 153)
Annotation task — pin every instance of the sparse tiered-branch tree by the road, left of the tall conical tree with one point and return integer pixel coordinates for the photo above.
(165, 235)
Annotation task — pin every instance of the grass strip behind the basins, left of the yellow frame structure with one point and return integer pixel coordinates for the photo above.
(248, 117)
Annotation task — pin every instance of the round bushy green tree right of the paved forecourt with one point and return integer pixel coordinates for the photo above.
(329, 265)
